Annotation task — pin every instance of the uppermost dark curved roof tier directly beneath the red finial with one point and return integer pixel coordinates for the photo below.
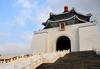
(69, 14)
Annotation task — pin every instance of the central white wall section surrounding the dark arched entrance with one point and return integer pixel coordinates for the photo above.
(71, 32)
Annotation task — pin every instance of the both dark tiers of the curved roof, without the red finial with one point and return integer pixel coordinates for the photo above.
(69, 17)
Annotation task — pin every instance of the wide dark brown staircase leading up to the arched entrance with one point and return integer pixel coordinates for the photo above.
(75, 60)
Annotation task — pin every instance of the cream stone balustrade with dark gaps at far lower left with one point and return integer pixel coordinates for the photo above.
(6, 59)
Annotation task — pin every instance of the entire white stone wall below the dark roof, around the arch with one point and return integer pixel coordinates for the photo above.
(45, 40)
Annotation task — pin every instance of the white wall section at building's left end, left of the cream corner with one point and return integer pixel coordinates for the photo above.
(39, 43)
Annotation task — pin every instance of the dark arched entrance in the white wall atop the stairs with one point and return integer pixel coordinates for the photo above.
(63, 43)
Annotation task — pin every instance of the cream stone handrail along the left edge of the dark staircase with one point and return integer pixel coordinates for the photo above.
(36, 63)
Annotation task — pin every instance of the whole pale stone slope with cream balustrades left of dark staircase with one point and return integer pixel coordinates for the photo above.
(29, 61)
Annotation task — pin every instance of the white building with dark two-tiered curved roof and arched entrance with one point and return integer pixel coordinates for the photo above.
(68, 30)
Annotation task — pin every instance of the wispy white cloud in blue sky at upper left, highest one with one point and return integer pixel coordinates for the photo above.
(25, 13)
